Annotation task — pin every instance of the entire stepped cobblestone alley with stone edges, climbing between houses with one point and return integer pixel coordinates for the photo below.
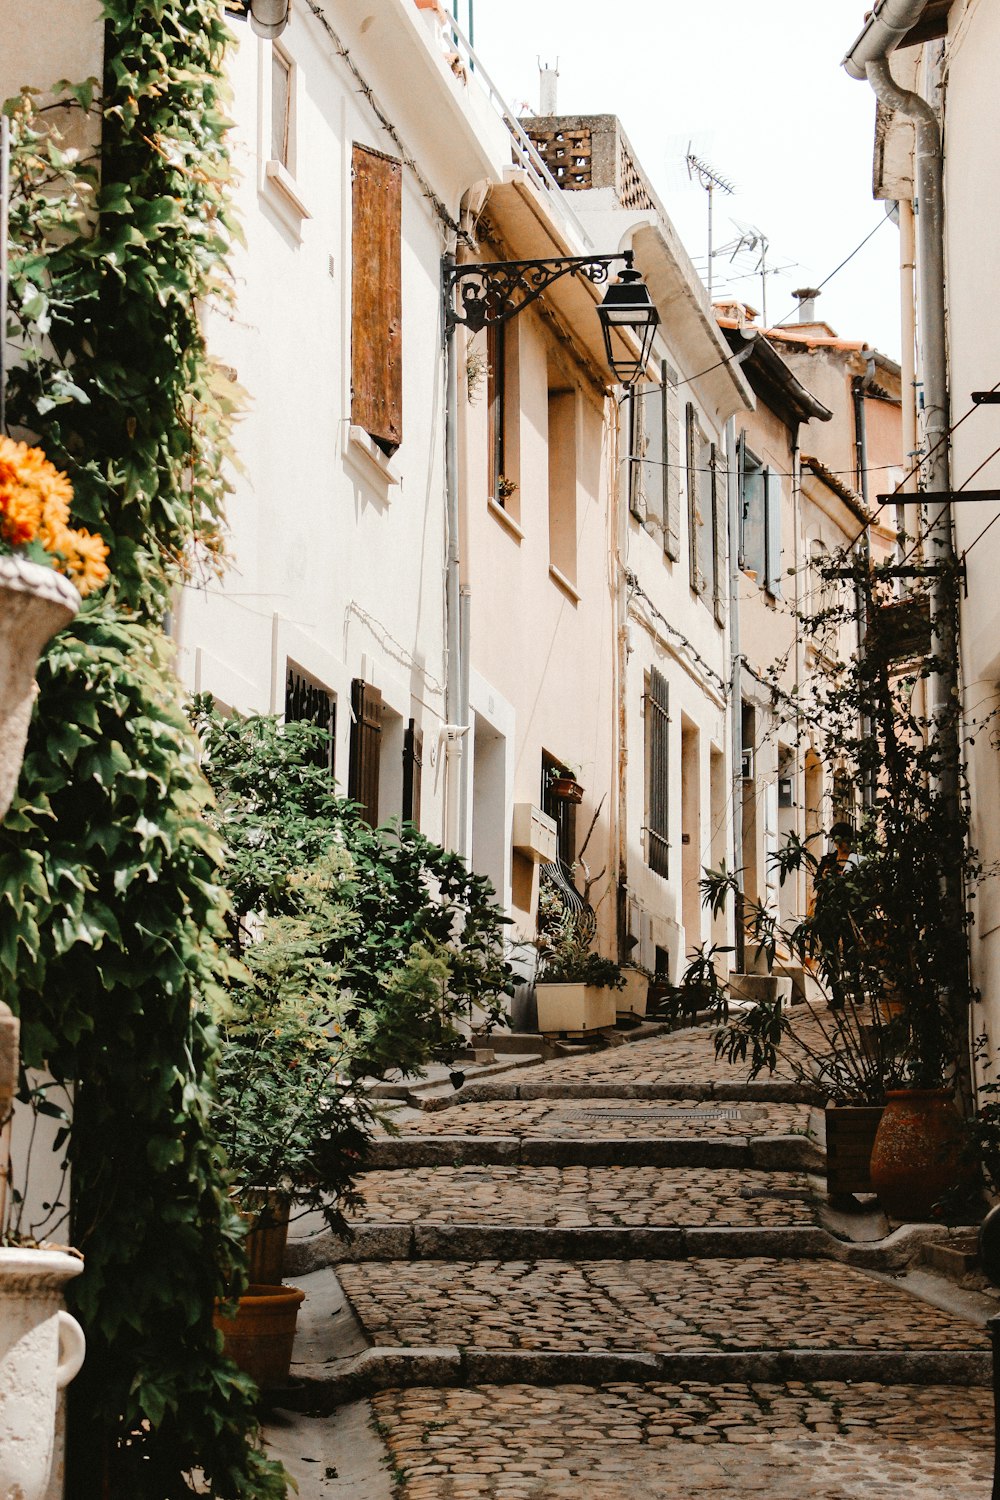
(617, 1276)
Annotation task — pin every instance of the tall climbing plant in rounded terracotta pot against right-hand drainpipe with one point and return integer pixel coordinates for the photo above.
(885, 934)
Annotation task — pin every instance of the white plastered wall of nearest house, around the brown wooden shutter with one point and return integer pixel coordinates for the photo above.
(337, 554)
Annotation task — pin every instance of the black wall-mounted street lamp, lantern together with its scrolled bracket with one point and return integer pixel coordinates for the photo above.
(496, 292)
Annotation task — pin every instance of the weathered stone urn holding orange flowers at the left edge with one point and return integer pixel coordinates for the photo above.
(35, 602)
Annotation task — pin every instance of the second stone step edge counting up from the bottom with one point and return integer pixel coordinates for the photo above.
(470, 1243)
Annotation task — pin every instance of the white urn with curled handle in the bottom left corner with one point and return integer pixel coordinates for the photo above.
(41, 1351)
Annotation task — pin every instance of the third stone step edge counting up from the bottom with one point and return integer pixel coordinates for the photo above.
(761, 1153)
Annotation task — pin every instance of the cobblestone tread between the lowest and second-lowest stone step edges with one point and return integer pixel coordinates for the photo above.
(645, 1306)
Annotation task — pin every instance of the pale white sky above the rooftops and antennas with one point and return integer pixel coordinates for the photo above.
(758, 91)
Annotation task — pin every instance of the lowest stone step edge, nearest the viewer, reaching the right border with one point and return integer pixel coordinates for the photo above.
(323, 1388)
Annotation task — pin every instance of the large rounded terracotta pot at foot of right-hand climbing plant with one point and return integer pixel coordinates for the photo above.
(918, 1151)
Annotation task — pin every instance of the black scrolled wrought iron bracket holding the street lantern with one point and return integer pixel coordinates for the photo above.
(496, 292)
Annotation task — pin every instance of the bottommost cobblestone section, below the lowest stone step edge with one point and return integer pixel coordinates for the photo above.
(824, 1442)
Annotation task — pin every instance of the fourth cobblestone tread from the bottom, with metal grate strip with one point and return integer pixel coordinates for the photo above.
(633, 1120)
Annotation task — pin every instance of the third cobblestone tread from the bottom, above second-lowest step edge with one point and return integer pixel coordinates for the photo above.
(585, 1196)
